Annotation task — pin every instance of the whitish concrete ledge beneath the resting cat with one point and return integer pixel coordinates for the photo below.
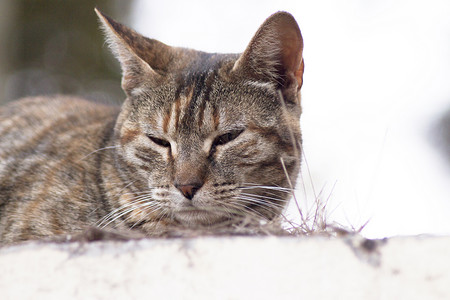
(230, 268)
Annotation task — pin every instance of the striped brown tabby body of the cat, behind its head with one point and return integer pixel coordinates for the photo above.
(46, 168)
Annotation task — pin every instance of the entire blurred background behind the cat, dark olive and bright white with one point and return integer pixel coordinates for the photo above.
(376, 91)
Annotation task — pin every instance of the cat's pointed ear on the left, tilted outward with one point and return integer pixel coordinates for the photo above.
(143, 60)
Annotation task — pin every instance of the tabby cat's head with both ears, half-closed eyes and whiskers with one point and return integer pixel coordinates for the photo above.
(204, 137)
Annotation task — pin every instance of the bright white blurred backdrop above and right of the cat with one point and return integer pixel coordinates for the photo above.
(376, 84)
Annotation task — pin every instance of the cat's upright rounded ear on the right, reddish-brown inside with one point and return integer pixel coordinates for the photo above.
(274, 55)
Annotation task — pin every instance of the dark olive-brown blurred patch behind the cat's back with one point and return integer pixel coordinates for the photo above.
(56, 46)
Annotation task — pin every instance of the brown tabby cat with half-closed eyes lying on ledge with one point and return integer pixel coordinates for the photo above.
(200, 139)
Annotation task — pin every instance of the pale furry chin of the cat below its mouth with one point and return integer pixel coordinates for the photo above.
(196, 217)
